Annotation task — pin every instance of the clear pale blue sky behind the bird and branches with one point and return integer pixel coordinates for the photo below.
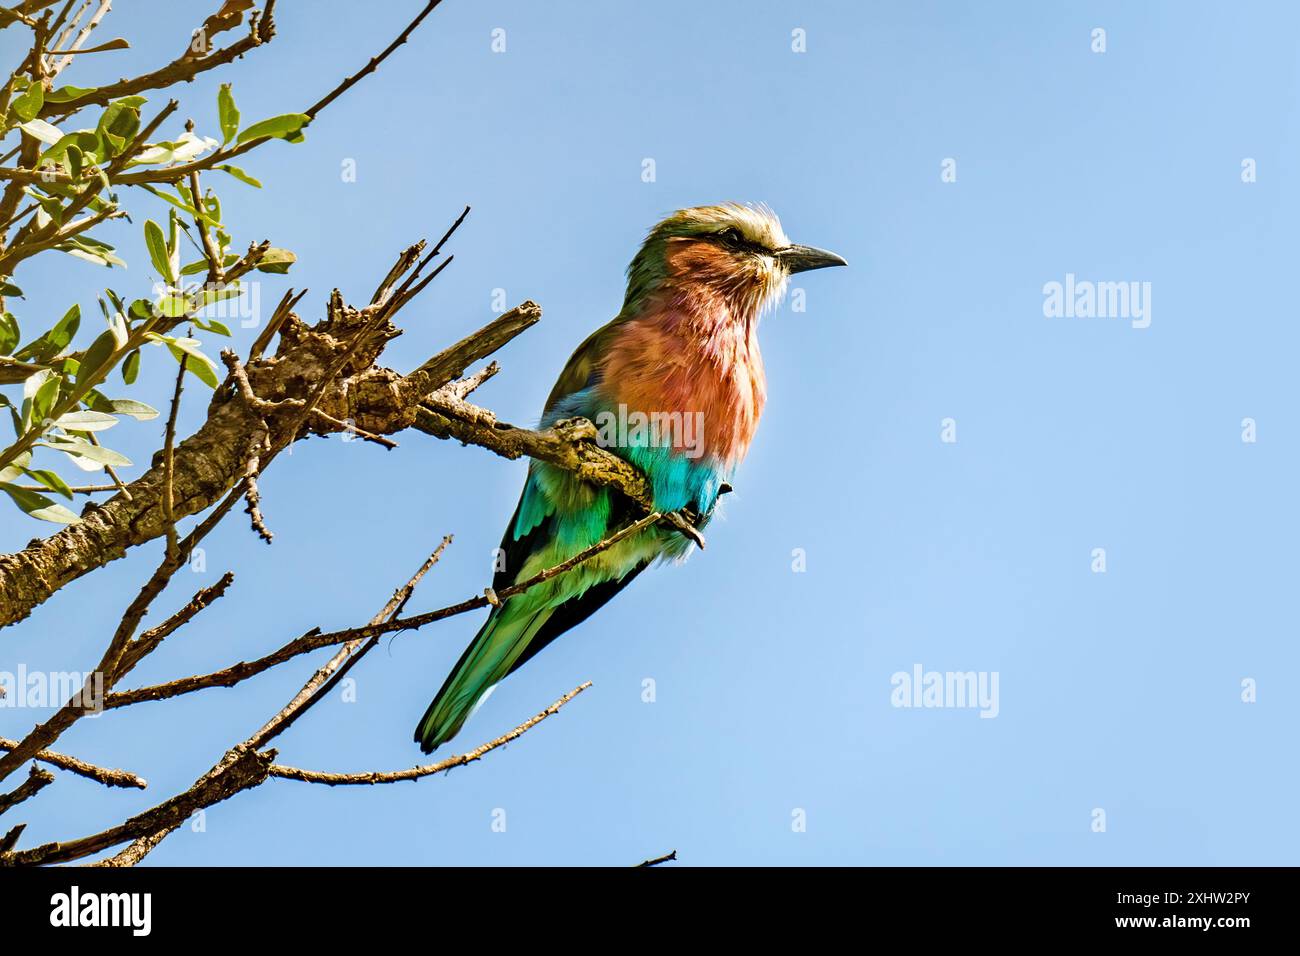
(1120, 691)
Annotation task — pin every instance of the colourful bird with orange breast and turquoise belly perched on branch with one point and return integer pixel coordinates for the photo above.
(683, 353)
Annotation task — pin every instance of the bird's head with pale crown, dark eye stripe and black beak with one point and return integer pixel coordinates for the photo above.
(739, 253)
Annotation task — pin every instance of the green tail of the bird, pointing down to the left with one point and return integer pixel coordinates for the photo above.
(488, 659)
